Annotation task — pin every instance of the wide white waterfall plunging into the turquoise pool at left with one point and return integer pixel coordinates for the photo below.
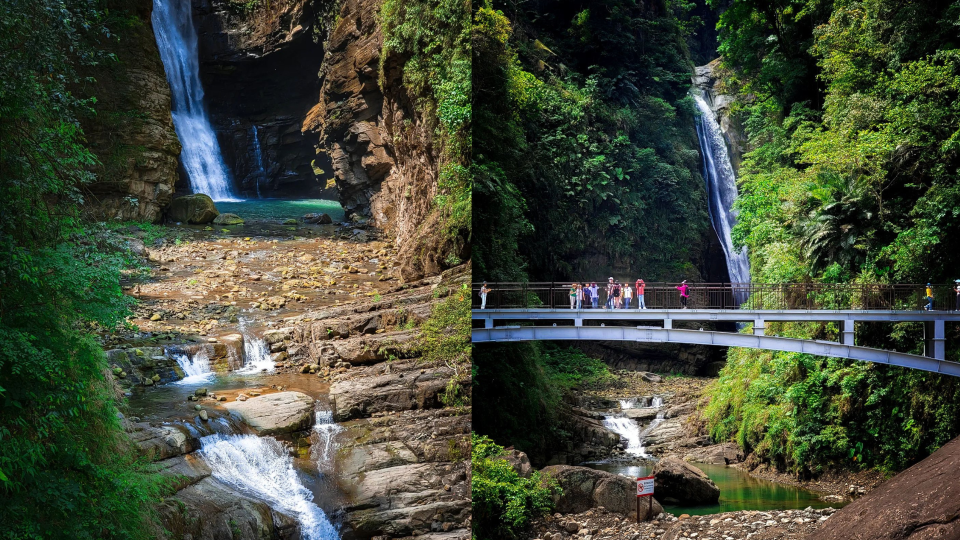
(177, 40)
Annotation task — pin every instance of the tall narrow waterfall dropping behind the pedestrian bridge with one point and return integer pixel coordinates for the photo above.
(721, 191)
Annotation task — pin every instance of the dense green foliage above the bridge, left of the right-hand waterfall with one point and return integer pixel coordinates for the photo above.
(585, 154)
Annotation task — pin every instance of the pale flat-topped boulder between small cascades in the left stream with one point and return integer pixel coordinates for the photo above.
(284, 412)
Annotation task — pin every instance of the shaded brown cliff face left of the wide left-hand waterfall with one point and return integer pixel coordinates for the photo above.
(132, 133)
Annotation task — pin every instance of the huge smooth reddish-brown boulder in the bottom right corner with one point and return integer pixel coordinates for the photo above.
(919, 503)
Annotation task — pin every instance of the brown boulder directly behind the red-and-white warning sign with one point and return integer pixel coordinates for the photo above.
(585, 488)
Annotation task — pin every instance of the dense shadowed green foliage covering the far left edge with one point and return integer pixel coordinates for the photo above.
(66, 468)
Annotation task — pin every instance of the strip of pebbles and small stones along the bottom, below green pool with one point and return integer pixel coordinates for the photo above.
(601, 524)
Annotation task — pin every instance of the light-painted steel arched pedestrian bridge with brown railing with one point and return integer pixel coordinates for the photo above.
(544, 323)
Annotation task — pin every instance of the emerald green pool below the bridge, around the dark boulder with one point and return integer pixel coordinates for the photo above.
(738, 490)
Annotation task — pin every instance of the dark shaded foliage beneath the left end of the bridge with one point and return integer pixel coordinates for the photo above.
(519, 388)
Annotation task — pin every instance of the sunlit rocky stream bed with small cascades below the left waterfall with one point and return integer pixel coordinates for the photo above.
(273, 376)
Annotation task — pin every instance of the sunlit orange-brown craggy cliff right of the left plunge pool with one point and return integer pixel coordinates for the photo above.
(382, 151)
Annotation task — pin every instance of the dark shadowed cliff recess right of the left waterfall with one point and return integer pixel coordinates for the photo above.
(259, 65)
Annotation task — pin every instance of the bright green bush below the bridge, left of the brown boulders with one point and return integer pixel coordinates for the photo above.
(503, 501)
